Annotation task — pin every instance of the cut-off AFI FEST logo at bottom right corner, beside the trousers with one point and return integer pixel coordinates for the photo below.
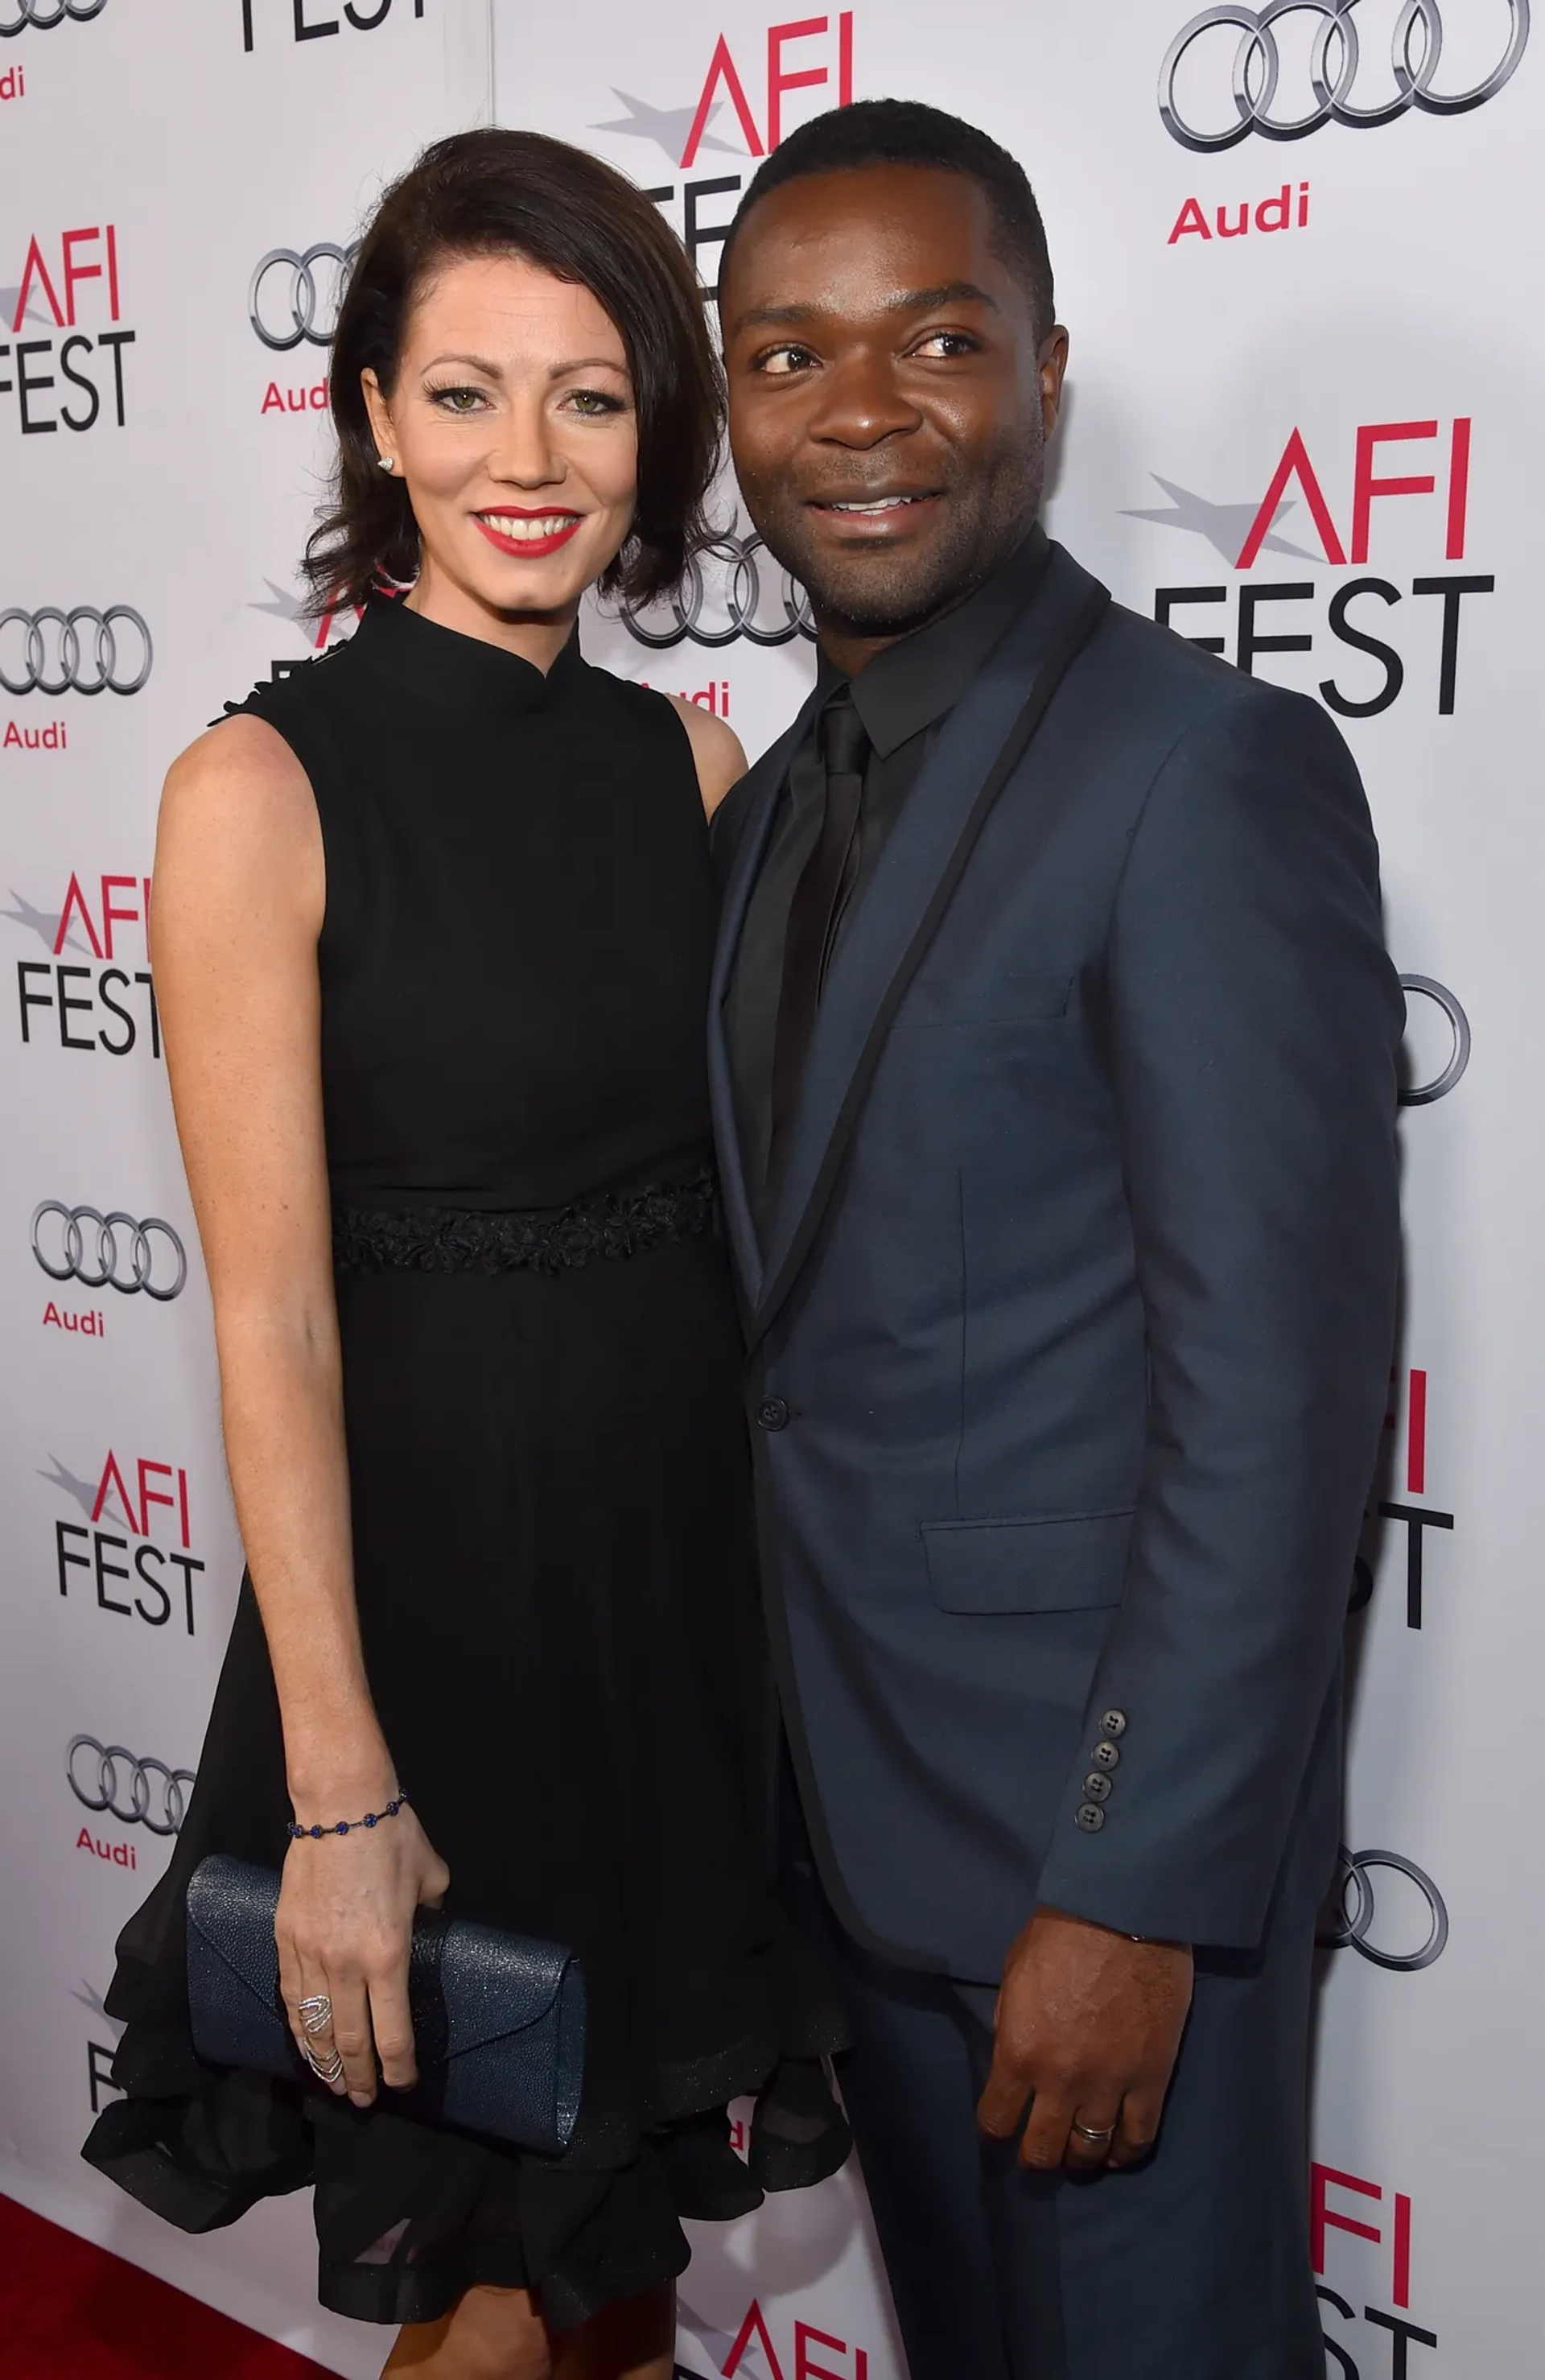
(1382, 2267)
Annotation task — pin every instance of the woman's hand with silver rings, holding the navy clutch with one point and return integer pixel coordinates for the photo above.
(344, 1927)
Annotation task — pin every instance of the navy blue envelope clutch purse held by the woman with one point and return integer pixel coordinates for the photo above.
(499, 2019)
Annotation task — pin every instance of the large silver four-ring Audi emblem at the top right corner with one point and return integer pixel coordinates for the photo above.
(1296, 65)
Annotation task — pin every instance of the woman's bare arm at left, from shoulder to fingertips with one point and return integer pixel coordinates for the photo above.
(239, 898)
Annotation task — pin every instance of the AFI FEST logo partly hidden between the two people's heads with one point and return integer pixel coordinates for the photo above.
(746, 94)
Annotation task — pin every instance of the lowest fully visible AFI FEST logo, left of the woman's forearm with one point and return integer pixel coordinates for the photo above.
(132, 1553)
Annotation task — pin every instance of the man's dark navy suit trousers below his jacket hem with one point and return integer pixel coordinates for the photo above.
(1194, 2267)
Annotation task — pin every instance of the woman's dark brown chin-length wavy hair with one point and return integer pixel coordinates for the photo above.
(523, 194)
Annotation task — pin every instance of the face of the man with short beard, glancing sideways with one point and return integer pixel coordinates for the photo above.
(889, 401)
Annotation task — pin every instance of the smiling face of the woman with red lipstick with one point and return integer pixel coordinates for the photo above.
(513, 425)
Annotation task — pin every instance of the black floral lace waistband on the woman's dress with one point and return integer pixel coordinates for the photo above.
(542, 1241)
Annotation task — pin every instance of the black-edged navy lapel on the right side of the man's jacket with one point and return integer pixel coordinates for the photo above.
(901, 906)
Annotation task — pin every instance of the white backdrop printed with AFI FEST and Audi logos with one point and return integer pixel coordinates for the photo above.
(1299, 256)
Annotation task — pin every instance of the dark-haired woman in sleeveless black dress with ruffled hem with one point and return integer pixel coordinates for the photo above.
(432, 951)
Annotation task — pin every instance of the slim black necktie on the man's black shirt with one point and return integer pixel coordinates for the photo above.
(815, 910)
